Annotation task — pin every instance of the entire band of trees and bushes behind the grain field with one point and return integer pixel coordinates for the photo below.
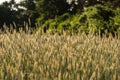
(96, 16)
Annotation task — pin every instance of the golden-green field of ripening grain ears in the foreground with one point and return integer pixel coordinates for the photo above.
(53, 57)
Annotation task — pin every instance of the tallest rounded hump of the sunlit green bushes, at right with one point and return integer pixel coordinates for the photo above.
(97, 19)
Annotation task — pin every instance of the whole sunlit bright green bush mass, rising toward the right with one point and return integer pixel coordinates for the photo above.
(96, 19)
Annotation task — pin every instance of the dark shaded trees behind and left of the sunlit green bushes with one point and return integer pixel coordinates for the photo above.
(33, 12)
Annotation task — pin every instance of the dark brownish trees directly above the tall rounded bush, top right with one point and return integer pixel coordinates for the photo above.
(78, 5)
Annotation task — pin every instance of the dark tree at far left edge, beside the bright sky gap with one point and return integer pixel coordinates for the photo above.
(6, 14)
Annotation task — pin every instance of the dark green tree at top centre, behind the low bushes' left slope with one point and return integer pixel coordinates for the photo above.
(49, 9)
